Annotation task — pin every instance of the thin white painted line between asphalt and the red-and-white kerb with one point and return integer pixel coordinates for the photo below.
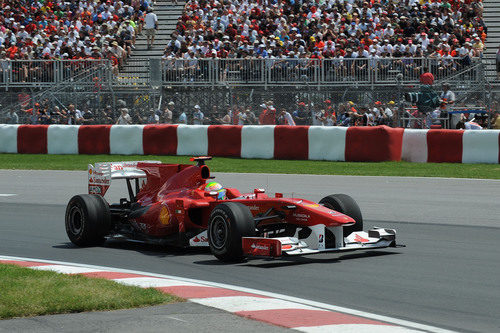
(325, 306)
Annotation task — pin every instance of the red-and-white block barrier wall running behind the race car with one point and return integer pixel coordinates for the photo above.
(364, 144)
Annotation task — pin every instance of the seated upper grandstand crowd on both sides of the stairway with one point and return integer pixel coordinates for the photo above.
(305, 30)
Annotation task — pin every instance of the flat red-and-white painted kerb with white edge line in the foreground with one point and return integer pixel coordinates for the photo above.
(274, 309)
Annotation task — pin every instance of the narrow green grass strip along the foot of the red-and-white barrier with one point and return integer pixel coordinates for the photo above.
(219, 164)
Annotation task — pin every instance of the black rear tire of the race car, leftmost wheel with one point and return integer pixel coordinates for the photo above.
(88, 219)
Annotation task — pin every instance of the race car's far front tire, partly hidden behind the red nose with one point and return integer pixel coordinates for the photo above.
(344, 204)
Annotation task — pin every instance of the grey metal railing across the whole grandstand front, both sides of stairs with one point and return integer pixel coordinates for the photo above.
(243, 72)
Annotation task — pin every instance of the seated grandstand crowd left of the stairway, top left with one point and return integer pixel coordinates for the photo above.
(57, 29)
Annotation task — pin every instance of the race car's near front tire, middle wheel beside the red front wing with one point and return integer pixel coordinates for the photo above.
(228, 223)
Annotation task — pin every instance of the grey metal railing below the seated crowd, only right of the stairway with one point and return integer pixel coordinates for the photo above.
(321, 72)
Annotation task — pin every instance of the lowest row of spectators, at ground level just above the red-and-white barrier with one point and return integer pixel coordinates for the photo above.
(325, 113)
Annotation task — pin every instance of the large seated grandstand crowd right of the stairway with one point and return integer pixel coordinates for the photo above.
(331, 29)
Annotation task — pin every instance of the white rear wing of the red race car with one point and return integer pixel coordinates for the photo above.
(101, 174)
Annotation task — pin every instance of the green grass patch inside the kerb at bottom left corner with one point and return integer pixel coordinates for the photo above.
(26, 292)
